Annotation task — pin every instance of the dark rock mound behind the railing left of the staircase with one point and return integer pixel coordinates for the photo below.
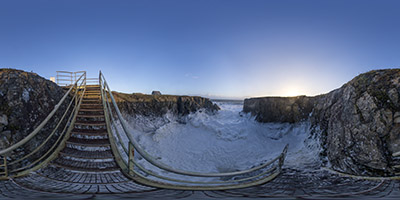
(25, 101)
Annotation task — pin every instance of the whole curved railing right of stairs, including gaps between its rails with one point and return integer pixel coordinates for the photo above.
(125, 155)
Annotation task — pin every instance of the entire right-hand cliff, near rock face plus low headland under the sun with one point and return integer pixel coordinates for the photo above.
(358, 124)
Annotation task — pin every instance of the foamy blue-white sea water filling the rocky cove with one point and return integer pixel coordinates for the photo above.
(226, 141)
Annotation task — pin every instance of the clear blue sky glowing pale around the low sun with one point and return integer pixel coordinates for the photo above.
(214, 48)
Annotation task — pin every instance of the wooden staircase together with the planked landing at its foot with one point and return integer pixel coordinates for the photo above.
(86, 164)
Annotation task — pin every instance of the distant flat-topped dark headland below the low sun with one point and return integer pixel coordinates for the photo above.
(280, 109)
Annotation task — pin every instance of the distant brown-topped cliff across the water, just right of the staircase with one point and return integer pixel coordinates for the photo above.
(158, 105)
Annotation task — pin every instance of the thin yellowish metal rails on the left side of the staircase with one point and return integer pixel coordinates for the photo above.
(56, 146)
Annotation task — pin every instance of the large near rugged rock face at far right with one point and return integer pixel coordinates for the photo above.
(360, 123)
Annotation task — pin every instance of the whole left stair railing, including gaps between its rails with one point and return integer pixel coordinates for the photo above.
(51, 132)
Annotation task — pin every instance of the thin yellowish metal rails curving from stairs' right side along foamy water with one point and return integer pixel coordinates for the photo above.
(128, 166)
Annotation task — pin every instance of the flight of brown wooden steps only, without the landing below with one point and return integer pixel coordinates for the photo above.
(88, 148)
